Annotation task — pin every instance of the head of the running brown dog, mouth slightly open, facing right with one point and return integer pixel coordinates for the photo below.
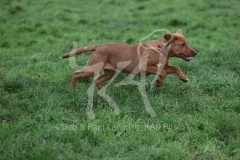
(179, 47)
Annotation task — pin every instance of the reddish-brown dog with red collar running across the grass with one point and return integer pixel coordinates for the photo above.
(141, 59)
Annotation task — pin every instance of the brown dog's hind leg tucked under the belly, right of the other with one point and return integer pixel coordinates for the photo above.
(107, 74)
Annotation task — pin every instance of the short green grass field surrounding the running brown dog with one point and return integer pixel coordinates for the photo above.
(43, 118)
